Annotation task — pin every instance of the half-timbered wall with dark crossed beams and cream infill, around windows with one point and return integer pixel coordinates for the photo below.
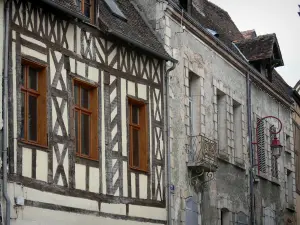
(76, 50)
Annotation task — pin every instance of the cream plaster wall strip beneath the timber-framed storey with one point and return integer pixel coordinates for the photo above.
(33, 215)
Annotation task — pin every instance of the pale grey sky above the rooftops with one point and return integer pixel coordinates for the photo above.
(271, 16)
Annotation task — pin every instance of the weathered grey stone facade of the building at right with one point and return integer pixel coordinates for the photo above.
(229, 191)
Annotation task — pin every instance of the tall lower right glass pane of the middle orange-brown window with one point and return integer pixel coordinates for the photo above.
(85, 134)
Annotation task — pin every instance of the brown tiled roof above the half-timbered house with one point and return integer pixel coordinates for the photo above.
(134, 28)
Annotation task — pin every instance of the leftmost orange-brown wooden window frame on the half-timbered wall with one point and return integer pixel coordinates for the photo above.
(41, 95)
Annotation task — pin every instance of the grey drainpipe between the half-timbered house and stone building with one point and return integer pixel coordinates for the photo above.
(167, 82)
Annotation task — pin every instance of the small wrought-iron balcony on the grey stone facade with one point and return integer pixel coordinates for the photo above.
(202, 153)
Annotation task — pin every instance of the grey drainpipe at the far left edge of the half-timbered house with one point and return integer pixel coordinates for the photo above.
(5, 115)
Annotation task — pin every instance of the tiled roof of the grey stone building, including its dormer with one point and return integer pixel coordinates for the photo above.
(217, 19)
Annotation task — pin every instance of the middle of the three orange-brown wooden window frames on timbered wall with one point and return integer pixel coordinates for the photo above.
(93, 113)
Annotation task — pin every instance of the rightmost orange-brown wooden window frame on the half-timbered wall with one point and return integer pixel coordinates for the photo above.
(143, 135)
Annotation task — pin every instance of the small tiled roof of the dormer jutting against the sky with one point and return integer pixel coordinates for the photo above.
(257, 48)
